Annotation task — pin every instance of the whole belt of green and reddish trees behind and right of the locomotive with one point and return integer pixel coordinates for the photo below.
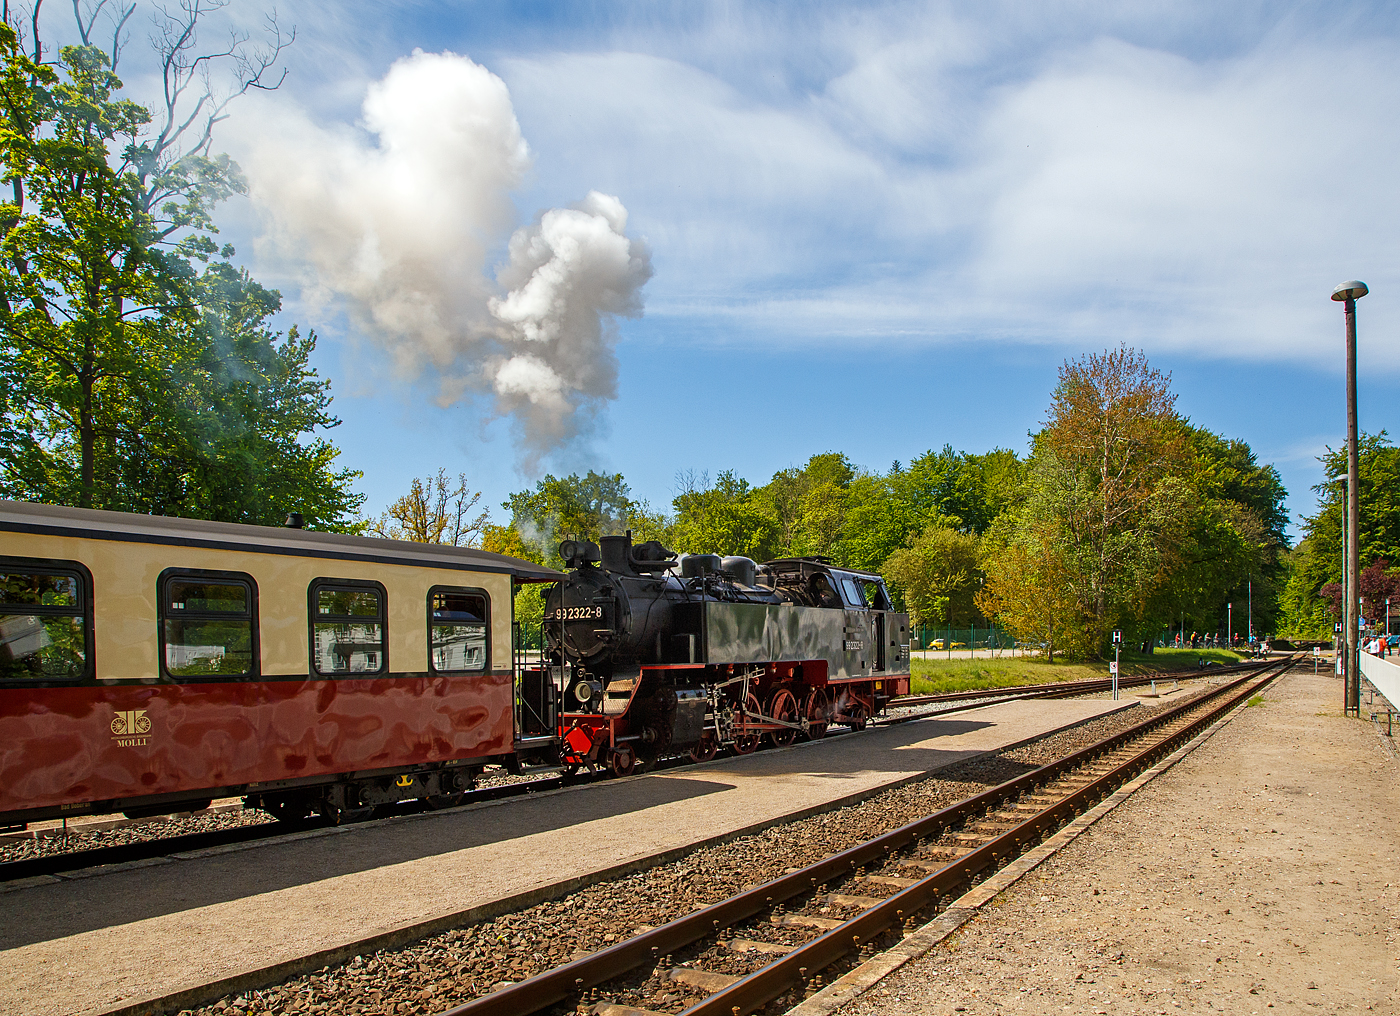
(1123, 517)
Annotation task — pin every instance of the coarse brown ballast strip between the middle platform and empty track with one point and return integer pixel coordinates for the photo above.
(453, 968)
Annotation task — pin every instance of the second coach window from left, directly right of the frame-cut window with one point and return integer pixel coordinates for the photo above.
(209, 625)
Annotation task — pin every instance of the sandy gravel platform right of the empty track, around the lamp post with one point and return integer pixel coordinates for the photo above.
(1255, 877)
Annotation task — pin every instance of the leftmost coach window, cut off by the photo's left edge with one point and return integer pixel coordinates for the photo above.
(45, 621)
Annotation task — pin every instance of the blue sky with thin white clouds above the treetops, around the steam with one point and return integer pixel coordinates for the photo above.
(878, 229)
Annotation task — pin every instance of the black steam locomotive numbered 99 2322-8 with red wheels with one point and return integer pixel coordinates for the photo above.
(661, 654)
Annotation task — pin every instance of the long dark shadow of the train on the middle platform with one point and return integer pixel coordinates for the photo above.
(121, 898)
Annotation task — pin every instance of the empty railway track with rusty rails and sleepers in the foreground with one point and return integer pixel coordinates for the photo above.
(769, 947)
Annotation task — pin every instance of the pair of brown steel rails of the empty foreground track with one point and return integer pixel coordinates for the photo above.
(757, 990)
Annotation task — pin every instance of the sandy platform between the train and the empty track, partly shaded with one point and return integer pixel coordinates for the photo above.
(87, 945)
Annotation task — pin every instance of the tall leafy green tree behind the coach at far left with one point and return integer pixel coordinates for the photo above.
(141, 377)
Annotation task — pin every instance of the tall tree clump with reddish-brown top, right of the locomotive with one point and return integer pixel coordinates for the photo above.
(1130, 513)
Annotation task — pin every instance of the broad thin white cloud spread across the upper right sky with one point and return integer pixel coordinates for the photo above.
(1084, 194)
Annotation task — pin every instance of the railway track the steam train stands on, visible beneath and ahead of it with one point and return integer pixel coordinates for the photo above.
(62, 863)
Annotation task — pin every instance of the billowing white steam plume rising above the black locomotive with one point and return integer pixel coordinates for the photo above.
(401, 232)
